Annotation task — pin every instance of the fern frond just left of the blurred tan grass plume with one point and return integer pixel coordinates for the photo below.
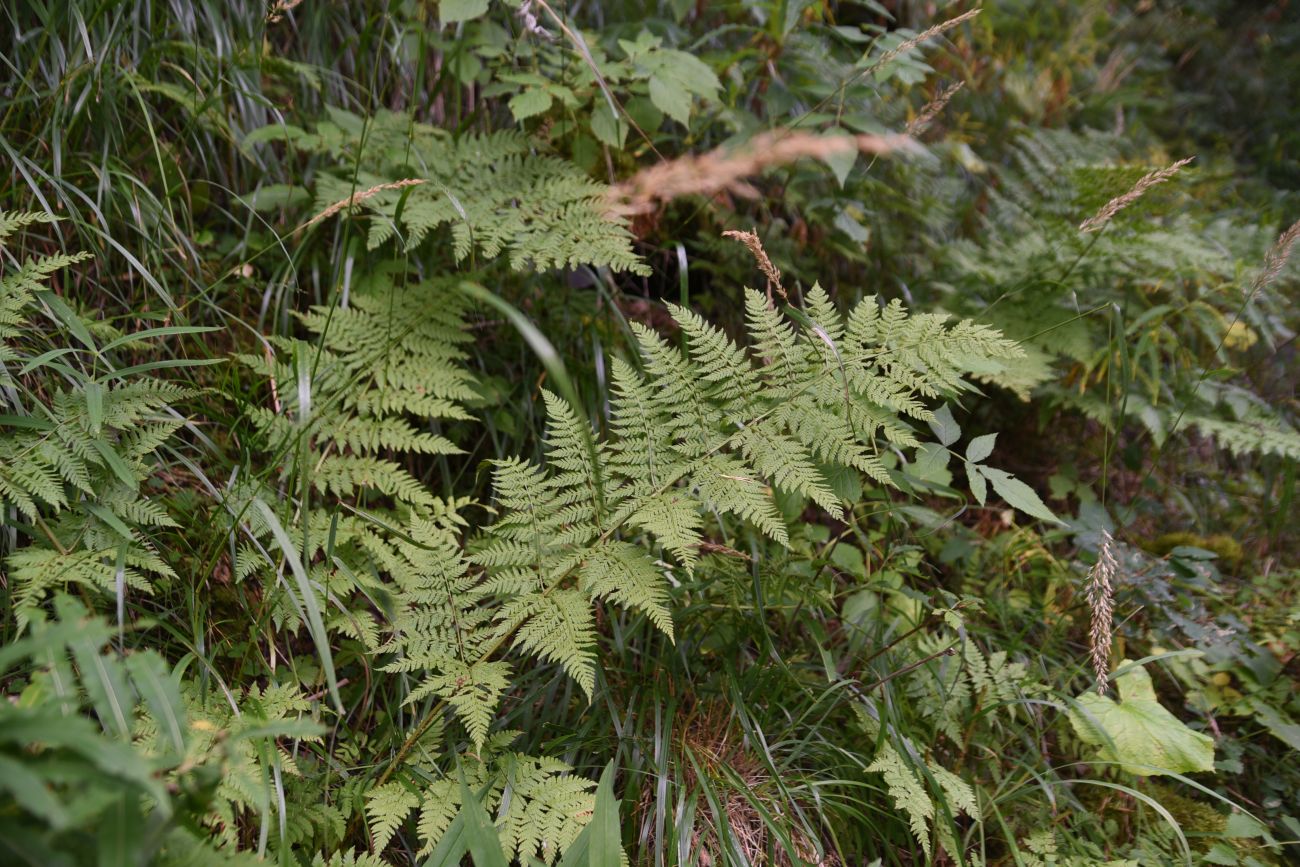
(493, 190)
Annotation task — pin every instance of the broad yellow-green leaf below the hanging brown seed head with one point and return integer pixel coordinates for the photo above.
(1138, 732)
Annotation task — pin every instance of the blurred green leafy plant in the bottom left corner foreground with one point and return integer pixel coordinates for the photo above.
(88, 743)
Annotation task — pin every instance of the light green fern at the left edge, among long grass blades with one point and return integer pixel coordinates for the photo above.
(80, 448)
